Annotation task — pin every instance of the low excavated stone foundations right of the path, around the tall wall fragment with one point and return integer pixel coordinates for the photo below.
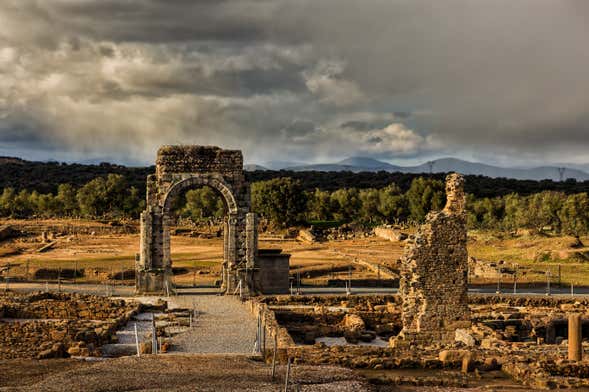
(511, 340)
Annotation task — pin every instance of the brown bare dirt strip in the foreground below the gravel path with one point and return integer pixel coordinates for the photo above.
(170, 373)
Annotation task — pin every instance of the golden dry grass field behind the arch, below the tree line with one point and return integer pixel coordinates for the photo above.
(102, 255)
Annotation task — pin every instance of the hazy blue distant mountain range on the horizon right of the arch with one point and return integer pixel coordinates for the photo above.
(365, 164)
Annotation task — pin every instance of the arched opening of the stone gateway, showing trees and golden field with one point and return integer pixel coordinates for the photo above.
(199, 232)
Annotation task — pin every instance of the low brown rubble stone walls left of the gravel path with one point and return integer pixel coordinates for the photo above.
(49, 325)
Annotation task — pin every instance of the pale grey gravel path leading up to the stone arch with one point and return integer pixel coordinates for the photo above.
(223, 325)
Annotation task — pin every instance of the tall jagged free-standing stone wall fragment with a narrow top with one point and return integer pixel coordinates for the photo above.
(434, 272)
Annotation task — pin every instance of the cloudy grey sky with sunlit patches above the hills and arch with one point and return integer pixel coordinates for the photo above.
(501, 81)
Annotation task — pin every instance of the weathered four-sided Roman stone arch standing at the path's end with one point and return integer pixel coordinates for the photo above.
(179, 168)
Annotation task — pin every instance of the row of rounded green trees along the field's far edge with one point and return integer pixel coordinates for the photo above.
(285, 202)
